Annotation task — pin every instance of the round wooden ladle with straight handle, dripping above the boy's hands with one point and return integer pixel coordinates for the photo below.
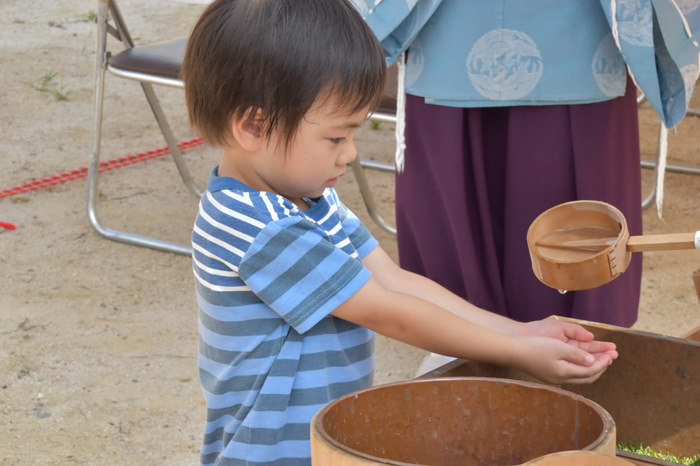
(585, 244)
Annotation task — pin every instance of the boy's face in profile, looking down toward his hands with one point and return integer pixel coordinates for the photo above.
(317, 155)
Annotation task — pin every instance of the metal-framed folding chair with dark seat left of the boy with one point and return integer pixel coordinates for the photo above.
(150, 64)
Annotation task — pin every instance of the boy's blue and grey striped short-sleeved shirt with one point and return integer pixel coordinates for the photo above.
(267, 277)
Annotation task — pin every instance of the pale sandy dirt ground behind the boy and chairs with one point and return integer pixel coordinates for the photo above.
(97, 338)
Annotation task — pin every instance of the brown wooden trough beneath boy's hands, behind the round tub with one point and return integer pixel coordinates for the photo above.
(652, 390)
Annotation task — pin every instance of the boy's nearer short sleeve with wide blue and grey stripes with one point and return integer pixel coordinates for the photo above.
(299, 273)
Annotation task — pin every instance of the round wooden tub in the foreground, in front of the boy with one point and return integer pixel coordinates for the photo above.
(457, 421)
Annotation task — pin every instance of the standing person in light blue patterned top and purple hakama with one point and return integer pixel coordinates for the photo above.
(513, 107)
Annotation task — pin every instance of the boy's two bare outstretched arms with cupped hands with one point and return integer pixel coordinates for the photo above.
(385, 306)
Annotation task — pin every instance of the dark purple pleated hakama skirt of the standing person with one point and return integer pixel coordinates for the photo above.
(476, 178)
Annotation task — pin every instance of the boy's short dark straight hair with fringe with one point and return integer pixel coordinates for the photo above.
(278, 56)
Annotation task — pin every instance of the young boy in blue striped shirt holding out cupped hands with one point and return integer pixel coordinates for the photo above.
(290, 284)
